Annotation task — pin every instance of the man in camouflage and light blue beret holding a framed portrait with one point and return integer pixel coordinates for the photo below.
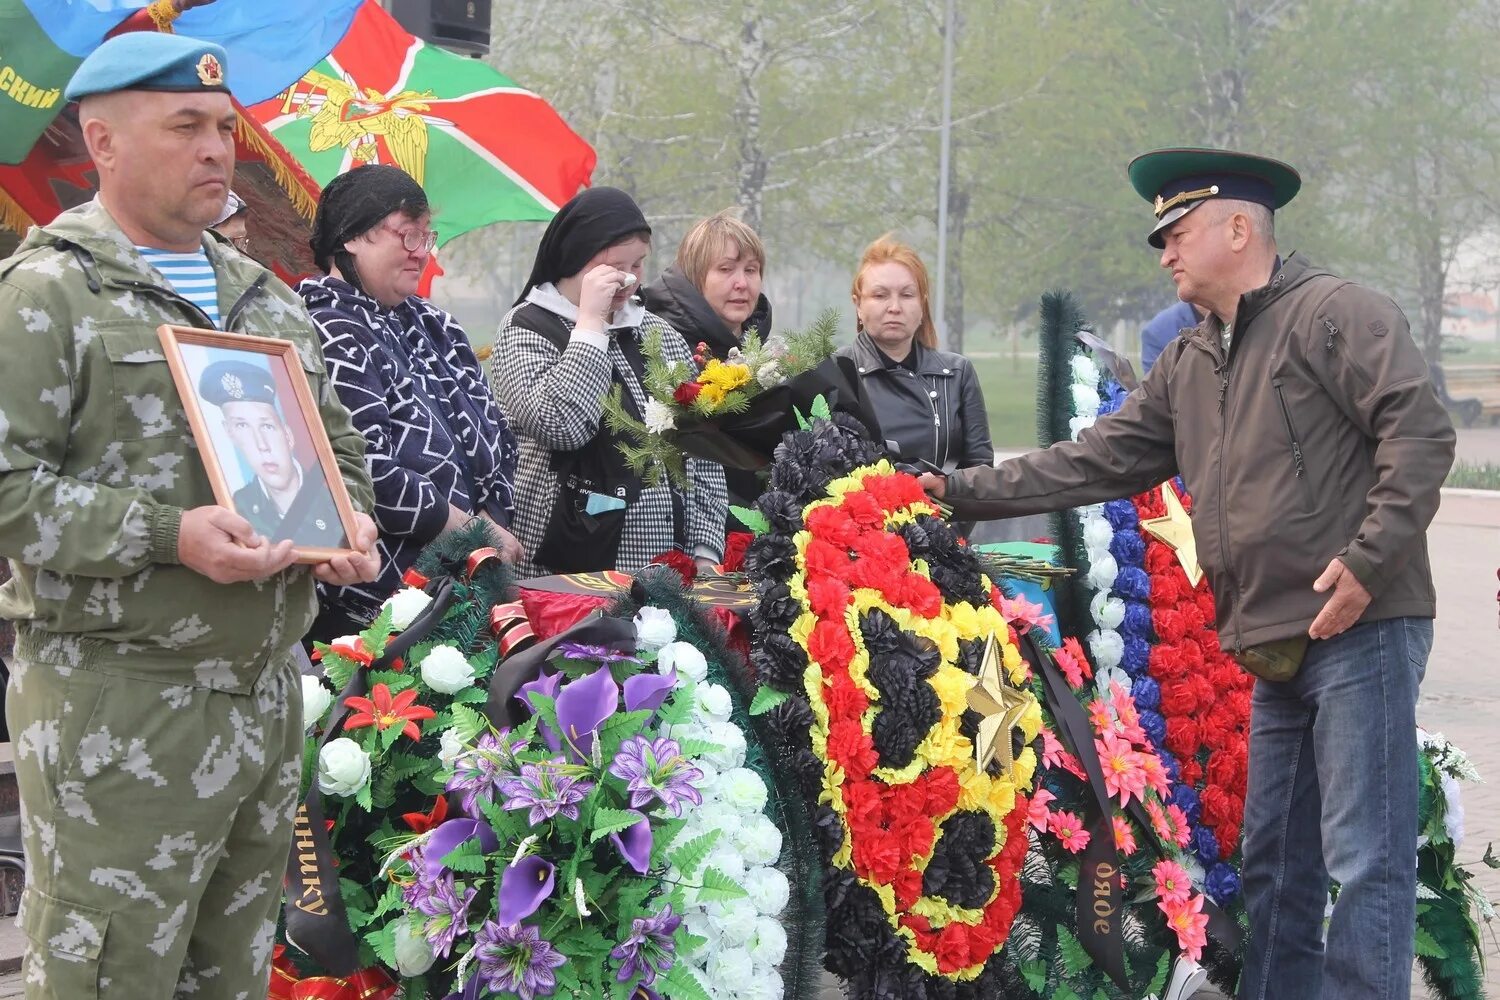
(154, 702)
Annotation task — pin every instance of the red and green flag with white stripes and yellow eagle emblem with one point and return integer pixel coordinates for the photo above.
(485, 149)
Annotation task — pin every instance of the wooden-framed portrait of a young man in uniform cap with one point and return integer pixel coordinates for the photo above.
(262, 439)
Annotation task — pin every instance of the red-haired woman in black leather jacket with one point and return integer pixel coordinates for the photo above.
(928, 401)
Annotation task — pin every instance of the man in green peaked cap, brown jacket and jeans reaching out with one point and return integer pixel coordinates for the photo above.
(1304, 424)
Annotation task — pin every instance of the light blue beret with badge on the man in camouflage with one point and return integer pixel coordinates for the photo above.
(151, 61)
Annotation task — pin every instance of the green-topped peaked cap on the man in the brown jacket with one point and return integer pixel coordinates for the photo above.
(1178, 181)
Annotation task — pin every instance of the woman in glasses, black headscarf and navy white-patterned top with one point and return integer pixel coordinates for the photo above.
(439, 448)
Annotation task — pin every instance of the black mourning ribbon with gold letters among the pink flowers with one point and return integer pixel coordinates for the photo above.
(1099, 900)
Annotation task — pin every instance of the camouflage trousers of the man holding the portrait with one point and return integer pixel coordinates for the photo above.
(157, 824)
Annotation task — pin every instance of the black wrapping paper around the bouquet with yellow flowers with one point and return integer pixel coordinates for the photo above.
(748, 440)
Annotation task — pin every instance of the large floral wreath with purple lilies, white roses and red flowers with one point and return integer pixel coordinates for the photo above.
(608, 833)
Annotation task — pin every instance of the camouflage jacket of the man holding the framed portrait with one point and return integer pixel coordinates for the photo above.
(98, 464)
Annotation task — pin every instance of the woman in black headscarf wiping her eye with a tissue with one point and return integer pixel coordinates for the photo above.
(574, 337)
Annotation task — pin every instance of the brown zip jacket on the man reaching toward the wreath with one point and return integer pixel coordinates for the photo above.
(1319, 436)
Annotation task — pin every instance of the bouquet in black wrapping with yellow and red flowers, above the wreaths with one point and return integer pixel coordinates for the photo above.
(733, 412)
